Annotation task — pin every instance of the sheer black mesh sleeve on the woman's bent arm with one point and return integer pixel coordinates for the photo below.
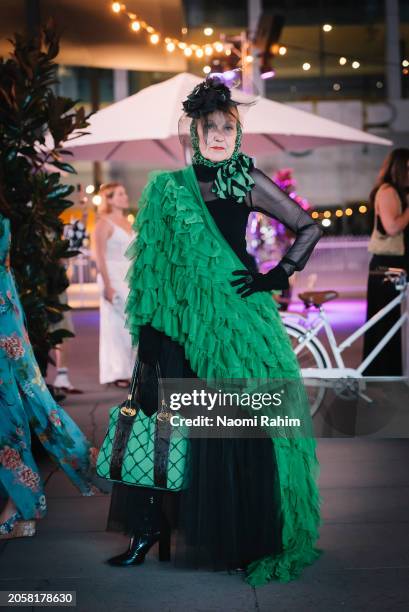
(269, 199)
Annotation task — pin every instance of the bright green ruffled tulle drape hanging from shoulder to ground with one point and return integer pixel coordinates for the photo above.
(179, 282)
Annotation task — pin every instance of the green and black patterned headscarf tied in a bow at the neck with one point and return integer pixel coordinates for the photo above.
(233, 177)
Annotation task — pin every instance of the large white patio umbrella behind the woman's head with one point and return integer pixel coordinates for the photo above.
(143, 128)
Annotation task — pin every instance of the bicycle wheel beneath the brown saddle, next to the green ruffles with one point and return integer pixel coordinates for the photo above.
(310, 356)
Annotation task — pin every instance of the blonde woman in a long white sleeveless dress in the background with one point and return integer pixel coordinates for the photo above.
(112, 236)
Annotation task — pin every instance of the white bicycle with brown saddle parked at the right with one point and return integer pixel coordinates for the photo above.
(315, 362)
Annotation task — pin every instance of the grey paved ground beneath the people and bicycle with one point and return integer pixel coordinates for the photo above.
(365, 533)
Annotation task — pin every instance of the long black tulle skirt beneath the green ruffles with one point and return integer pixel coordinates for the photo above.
(230, 513)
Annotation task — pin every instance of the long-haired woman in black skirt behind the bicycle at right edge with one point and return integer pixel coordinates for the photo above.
(389, 199)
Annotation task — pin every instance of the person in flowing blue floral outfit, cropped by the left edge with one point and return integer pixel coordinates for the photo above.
(24, 401)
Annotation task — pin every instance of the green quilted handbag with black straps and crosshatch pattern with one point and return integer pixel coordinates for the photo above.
(140, 450)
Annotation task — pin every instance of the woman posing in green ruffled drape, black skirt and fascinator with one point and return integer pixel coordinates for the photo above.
(199, 308)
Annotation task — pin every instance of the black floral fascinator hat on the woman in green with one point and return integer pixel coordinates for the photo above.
(209, 96)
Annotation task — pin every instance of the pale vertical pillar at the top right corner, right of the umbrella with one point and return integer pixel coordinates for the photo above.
(392, 50)
